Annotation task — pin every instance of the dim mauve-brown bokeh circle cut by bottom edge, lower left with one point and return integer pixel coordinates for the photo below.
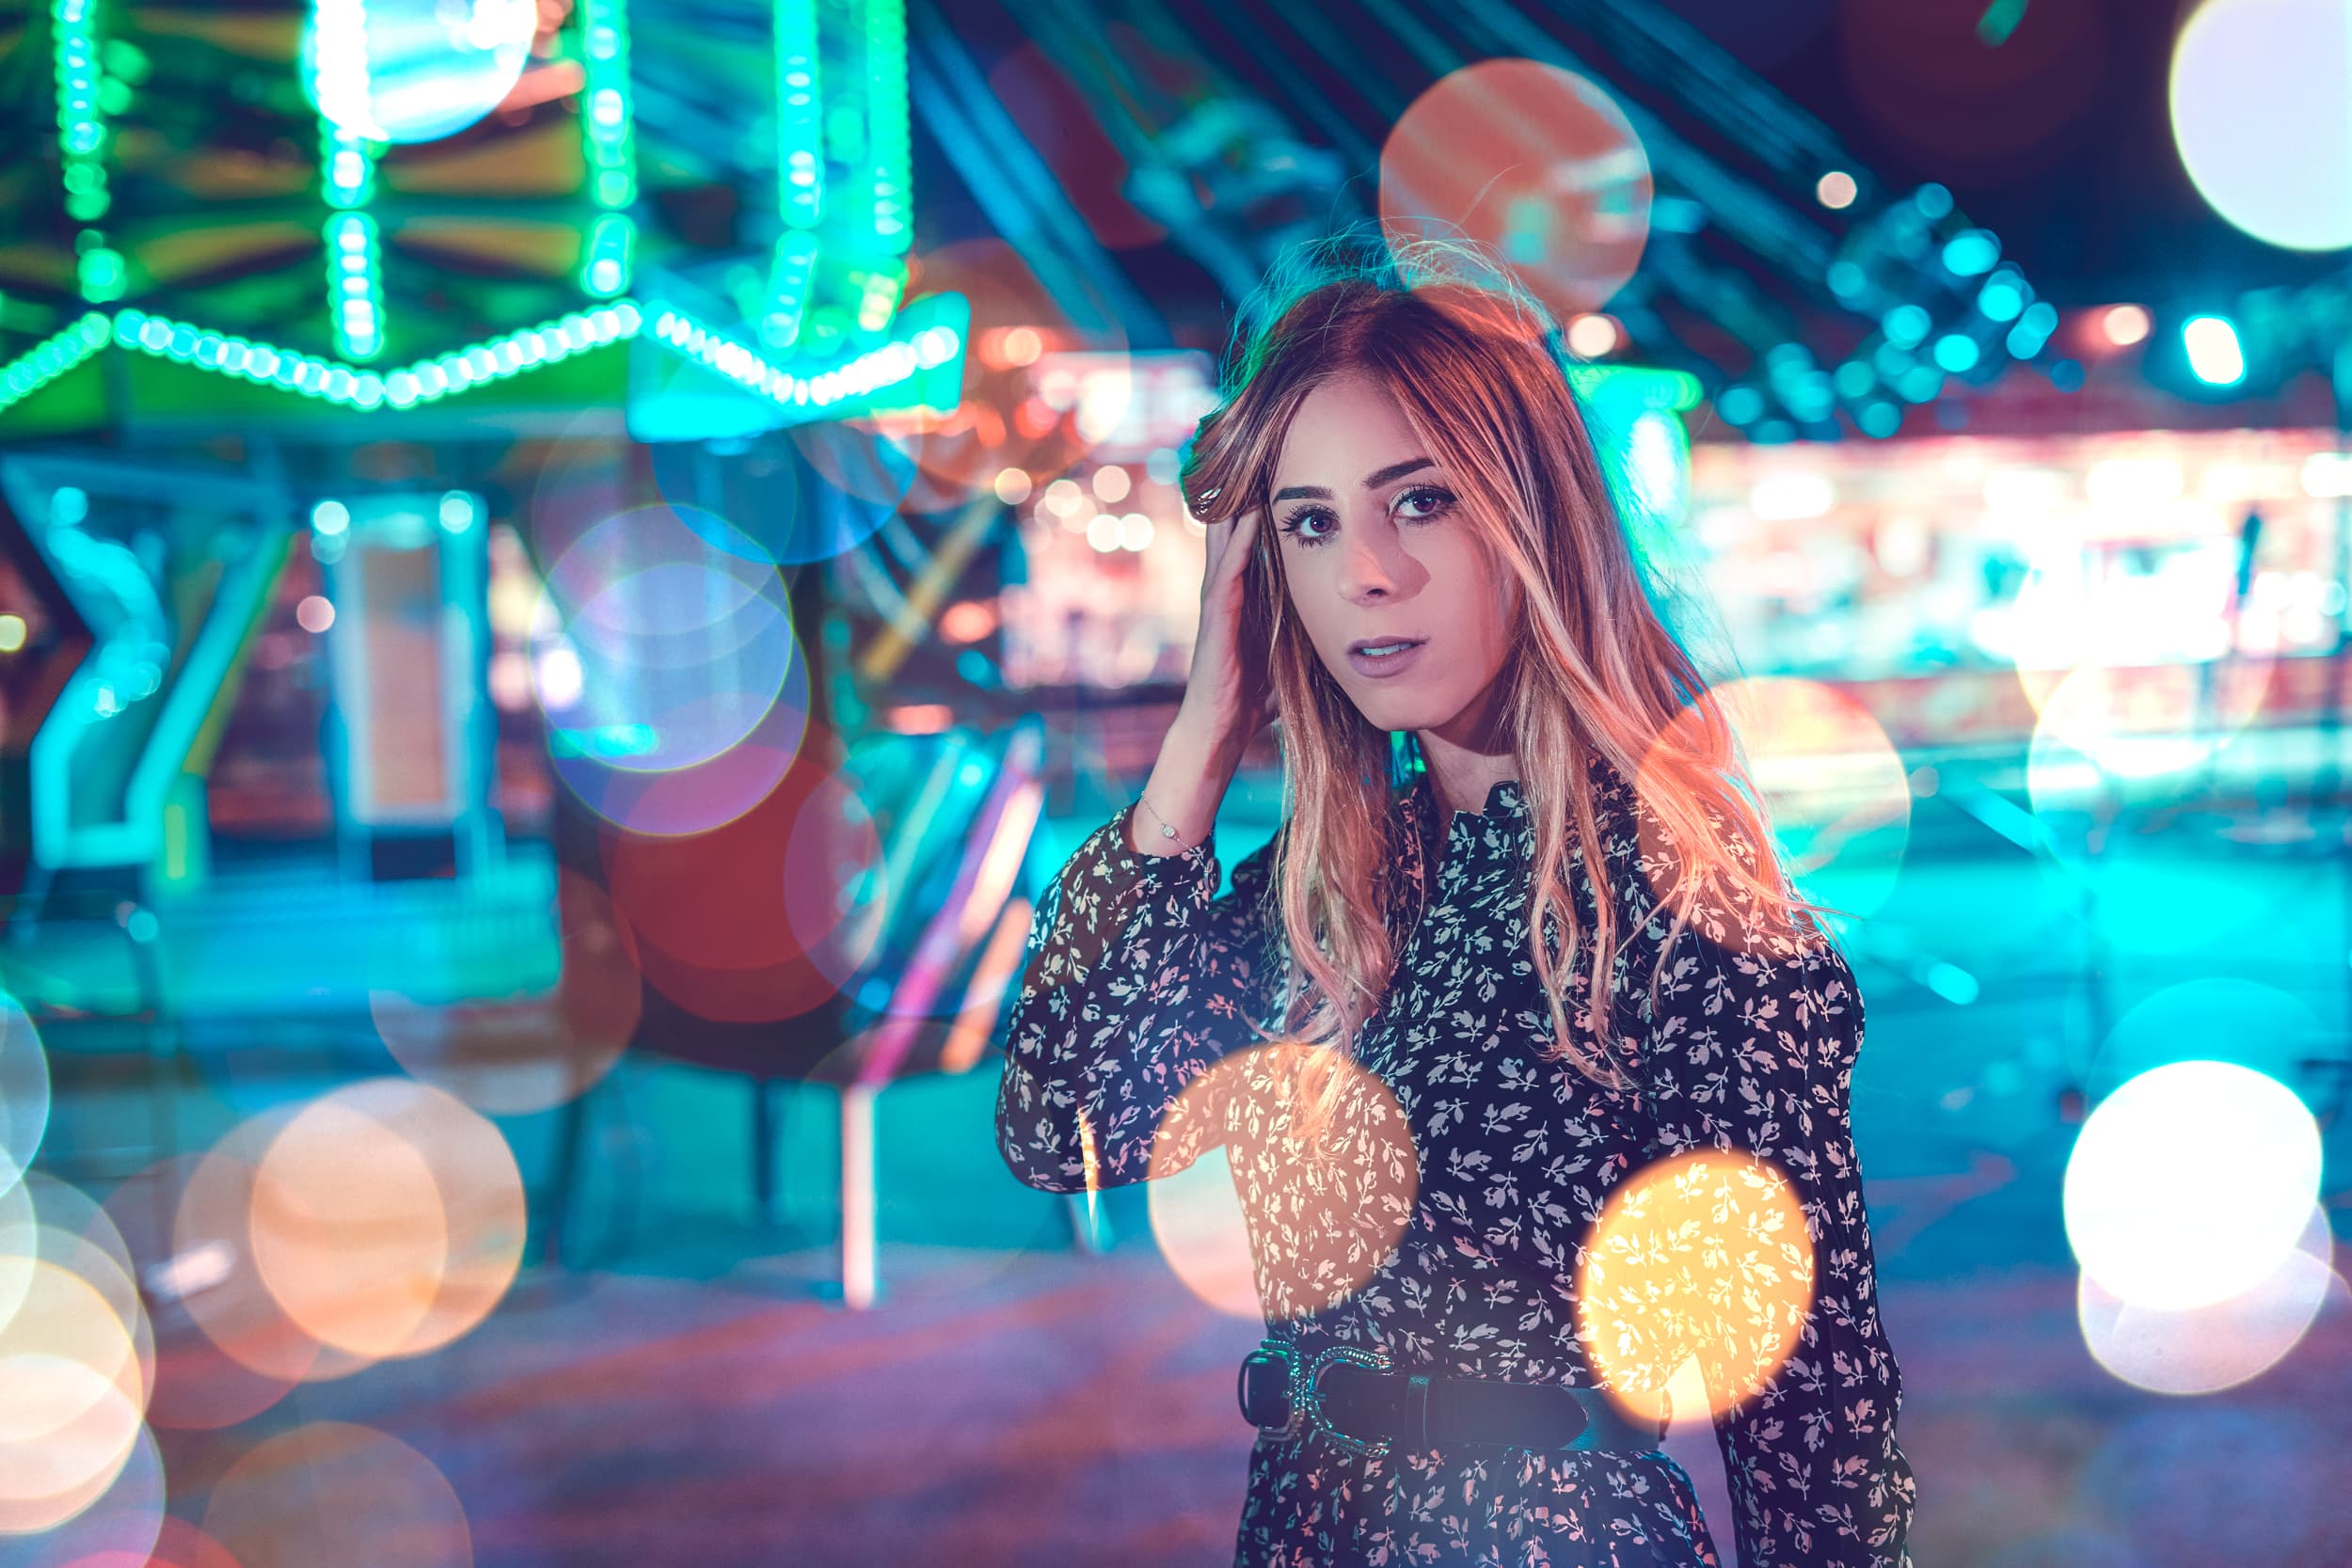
(267, 1506)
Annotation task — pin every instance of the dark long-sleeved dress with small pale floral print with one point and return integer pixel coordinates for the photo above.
(1471, 1174)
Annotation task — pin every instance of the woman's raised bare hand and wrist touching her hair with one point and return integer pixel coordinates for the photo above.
(1224, 704)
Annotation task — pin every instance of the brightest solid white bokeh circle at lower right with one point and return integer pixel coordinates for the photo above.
(2191, 1184)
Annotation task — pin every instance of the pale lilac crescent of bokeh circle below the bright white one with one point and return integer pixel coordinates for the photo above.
(2203, 1351)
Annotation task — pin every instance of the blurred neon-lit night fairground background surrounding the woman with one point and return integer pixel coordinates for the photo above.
(575, 570)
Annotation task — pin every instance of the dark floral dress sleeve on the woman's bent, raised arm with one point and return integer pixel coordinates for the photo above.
(1140, 977)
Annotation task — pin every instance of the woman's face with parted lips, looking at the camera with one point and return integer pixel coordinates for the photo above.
(1387, 575)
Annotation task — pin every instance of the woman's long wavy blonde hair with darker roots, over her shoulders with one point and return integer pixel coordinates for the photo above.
(1481, 373)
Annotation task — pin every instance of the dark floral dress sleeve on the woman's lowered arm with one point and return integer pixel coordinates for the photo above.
(1751, 1050)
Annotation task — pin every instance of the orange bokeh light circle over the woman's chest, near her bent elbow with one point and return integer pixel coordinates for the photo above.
(1337, 1198)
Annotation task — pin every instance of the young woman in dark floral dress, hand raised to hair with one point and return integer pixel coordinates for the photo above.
(1518, 942)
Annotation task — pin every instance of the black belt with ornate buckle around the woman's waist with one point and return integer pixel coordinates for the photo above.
(1351, 1398)
